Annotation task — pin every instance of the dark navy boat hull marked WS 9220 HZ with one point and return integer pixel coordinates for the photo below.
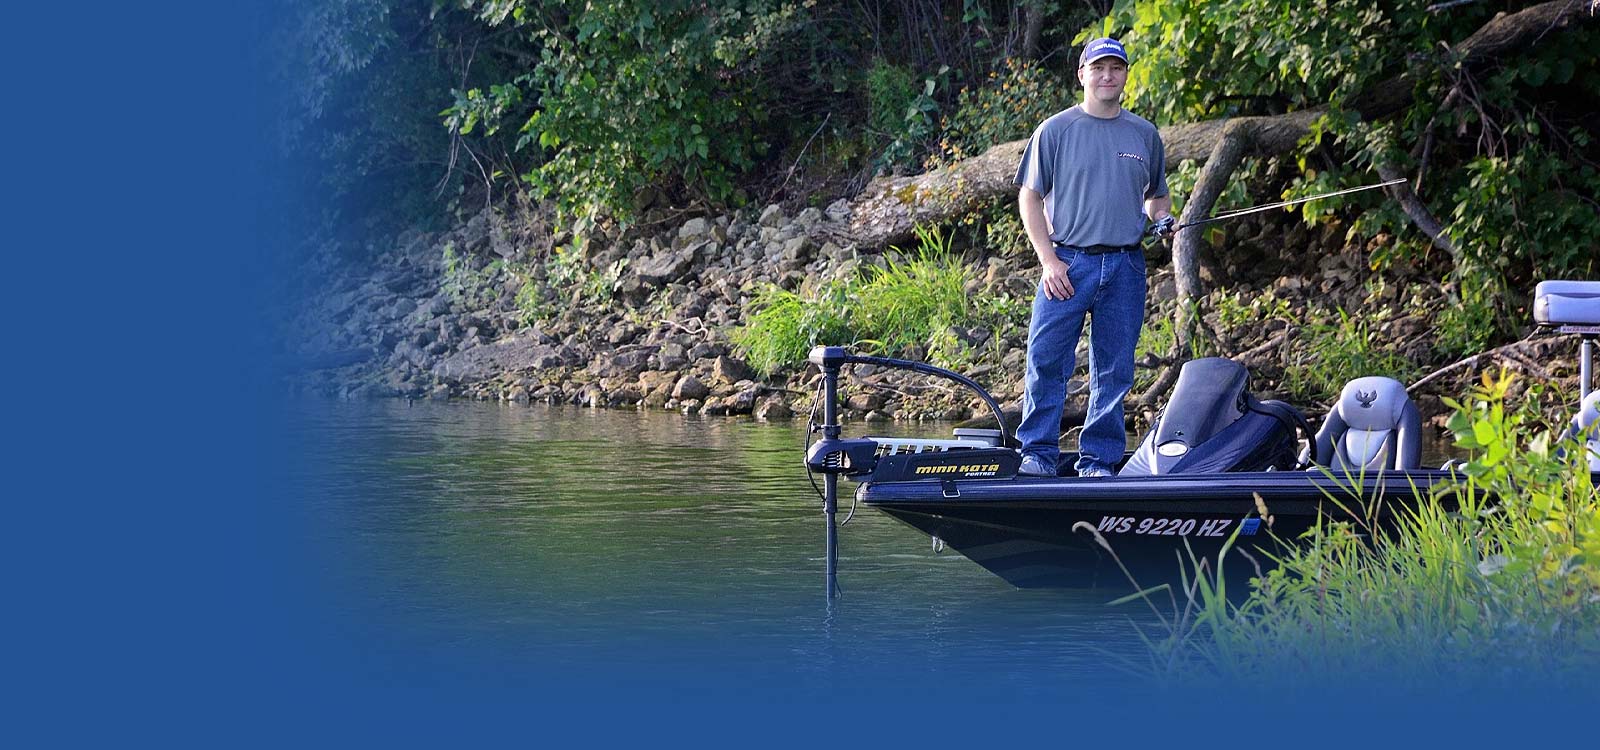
(1047, 532)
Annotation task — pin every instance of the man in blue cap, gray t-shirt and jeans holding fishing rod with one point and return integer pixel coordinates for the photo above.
(1090, 180)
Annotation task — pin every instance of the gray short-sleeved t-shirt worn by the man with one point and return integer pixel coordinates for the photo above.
(1095, 175)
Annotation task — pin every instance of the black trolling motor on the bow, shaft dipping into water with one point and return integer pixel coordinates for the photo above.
(834, 457)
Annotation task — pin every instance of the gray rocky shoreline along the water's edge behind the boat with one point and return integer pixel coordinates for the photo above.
(642, 319)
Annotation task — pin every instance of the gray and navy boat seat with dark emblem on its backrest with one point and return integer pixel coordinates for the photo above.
(1372, 428)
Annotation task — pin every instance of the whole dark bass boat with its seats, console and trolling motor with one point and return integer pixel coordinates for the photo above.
(1218, 468)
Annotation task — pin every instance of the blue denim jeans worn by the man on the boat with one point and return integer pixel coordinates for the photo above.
(1110, 289)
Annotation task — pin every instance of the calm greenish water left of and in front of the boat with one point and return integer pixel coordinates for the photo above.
(566, 541)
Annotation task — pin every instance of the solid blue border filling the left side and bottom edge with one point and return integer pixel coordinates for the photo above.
(156, 596)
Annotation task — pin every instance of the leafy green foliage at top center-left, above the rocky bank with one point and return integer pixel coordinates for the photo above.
(633, 94)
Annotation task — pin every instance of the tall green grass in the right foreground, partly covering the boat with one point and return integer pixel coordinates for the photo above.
(1508, 580)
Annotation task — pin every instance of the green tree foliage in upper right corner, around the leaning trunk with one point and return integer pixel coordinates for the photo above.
(1505, 156)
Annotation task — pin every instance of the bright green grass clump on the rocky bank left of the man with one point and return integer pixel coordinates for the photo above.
(889, 311)
